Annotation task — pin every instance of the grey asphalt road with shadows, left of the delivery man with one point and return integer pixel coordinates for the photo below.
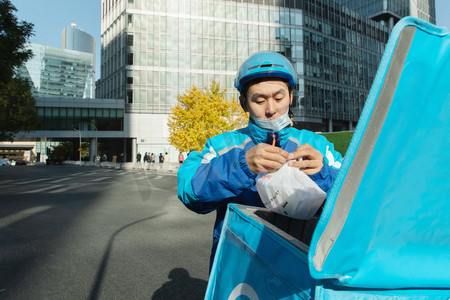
(69, 232)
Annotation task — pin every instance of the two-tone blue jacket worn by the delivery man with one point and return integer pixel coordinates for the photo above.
(220, 175)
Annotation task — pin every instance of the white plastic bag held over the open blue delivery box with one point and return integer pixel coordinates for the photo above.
(290, 192)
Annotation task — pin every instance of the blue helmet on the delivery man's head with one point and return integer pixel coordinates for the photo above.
(265, 64)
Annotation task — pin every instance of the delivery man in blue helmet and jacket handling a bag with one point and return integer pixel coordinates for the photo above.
(227, 169)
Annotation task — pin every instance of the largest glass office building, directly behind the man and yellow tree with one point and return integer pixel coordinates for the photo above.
(154, 50)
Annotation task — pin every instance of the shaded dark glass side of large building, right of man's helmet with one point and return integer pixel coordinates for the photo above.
(341, 52)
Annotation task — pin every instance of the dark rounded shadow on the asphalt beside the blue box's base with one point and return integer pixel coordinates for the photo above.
(181, 286)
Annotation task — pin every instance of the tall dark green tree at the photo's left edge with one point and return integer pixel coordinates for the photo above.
(17, 105)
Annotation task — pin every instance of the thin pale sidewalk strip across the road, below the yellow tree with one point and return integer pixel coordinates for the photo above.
(155, 167)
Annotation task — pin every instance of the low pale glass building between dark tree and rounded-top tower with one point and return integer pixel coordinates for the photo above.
(59, 72)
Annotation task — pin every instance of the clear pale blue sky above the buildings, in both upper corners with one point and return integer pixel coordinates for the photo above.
(51, 16)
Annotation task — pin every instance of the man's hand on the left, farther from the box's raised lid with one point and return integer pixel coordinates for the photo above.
(265, 158)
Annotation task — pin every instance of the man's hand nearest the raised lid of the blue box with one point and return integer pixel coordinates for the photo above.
(308, 159)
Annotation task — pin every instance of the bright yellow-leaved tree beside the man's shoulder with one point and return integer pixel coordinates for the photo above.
(201, 114)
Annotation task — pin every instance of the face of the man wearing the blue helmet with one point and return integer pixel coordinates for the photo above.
(268, 99)
